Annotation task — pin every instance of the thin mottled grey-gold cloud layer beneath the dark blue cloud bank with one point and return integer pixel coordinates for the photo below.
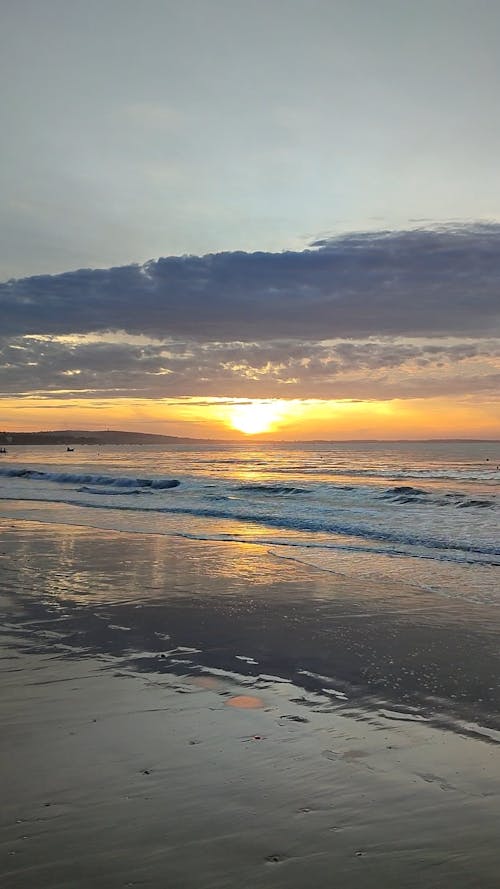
(340, 369)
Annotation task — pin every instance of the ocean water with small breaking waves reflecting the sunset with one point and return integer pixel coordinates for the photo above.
(426, 513)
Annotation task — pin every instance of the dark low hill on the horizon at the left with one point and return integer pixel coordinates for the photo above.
(85, 437)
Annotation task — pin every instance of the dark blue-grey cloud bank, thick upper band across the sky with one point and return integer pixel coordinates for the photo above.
(441, 282)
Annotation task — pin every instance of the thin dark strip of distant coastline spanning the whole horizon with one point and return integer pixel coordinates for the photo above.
(118, 437)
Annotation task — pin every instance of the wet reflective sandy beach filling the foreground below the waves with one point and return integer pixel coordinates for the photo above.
(177, 714)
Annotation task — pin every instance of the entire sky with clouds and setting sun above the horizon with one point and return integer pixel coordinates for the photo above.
(279, 218)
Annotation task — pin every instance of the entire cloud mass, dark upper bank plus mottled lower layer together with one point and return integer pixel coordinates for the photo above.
(363, 316)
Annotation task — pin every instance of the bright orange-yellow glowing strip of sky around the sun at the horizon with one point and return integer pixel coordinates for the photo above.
(266, 419)
